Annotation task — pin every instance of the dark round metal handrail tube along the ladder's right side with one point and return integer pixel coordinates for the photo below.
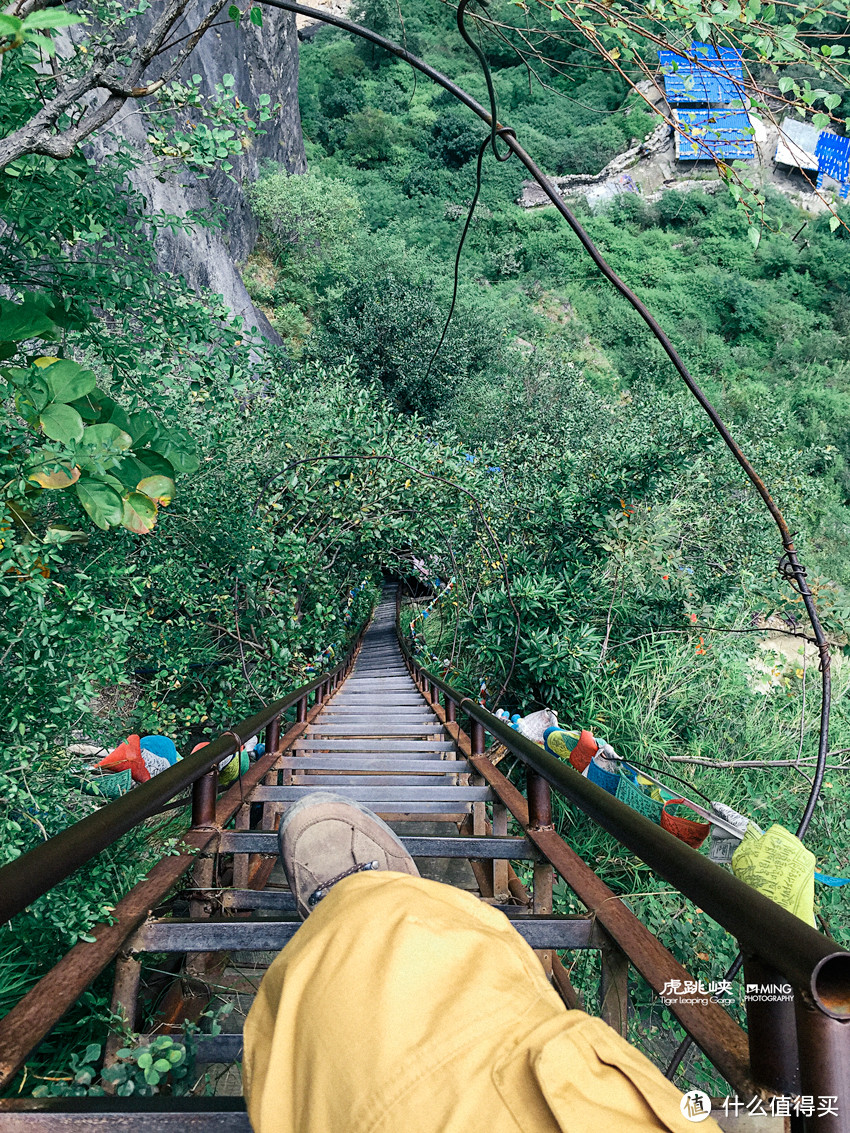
(810, 960)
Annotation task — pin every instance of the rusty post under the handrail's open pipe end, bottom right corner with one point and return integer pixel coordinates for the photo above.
(824, 1050)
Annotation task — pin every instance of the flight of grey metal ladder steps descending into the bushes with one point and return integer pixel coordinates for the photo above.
(377, 740)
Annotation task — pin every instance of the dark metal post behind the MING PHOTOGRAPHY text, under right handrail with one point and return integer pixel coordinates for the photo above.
(772, 1033)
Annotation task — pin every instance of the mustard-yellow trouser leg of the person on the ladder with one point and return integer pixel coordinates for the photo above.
(407, 1007)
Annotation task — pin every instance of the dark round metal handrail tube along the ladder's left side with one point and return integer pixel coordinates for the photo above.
(24, 880)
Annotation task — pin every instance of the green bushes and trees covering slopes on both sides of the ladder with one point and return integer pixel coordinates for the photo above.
(547, 459)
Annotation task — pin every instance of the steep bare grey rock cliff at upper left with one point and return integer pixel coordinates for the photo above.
(263, 61)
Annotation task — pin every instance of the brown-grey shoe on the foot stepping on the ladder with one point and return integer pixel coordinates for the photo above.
(326, 838)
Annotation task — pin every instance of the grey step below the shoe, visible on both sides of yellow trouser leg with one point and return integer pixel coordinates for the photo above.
(267, 935)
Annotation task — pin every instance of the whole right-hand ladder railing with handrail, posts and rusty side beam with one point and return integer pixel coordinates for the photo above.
(795, 1047)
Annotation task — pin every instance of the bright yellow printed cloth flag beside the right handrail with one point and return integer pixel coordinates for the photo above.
(779, 866)
